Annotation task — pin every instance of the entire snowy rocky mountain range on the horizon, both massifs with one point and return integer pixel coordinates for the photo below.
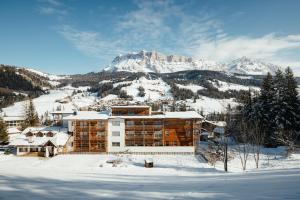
(159, 63)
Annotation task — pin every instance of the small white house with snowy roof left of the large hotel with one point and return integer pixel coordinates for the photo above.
(40, 141)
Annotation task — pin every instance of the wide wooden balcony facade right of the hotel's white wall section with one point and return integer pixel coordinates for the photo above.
(160, 132)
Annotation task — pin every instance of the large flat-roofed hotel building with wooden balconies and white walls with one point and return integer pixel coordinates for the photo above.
(134, 129)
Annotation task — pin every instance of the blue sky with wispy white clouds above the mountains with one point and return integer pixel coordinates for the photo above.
(77, 36)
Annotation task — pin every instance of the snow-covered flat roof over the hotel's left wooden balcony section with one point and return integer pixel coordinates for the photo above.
(87, 115)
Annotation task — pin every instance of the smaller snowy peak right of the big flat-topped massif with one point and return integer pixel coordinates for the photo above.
(246, 65)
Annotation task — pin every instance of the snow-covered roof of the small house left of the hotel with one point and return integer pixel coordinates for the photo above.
(59, 138)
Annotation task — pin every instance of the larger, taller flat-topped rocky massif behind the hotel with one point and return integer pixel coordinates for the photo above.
(159, 63)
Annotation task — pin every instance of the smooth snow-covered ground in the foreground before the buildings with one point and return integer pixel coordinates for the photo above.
(173, 177)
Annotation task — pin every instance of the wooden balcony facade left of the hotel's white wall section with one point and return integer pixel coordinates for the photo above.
(90, 136)
